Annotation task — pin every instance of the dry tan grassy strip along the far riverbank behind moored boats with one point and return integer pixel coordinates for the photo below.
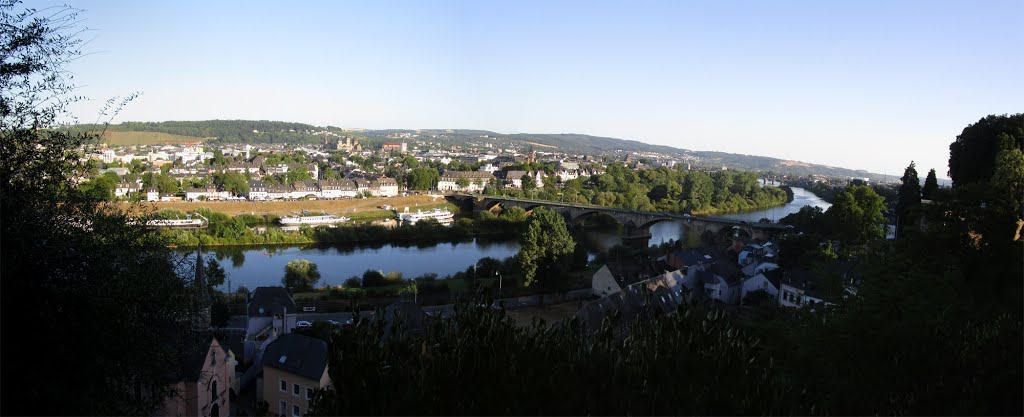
(356, 208)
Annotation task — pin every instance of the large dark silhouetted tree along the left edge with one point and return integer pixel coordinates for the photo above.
(77, 277)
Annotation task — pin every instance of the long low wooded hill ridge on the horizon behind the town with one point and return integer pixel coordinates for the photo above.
(264, 132)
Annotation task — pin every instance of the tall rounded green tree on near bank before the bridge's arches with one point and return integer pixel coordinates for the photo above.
(544, 245)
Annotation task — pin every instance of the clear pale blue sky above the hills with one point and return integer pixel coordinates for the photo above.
(859, 85)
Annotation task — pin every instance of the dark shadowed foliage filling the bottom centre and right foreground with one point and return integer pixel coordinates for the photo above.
(935, 329)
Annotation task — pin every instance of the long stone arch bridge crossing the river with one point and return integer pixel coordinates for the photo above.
(636, 225)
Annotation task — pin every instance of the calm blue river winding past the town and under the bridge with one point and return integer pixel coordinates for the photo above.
(265, 267)
